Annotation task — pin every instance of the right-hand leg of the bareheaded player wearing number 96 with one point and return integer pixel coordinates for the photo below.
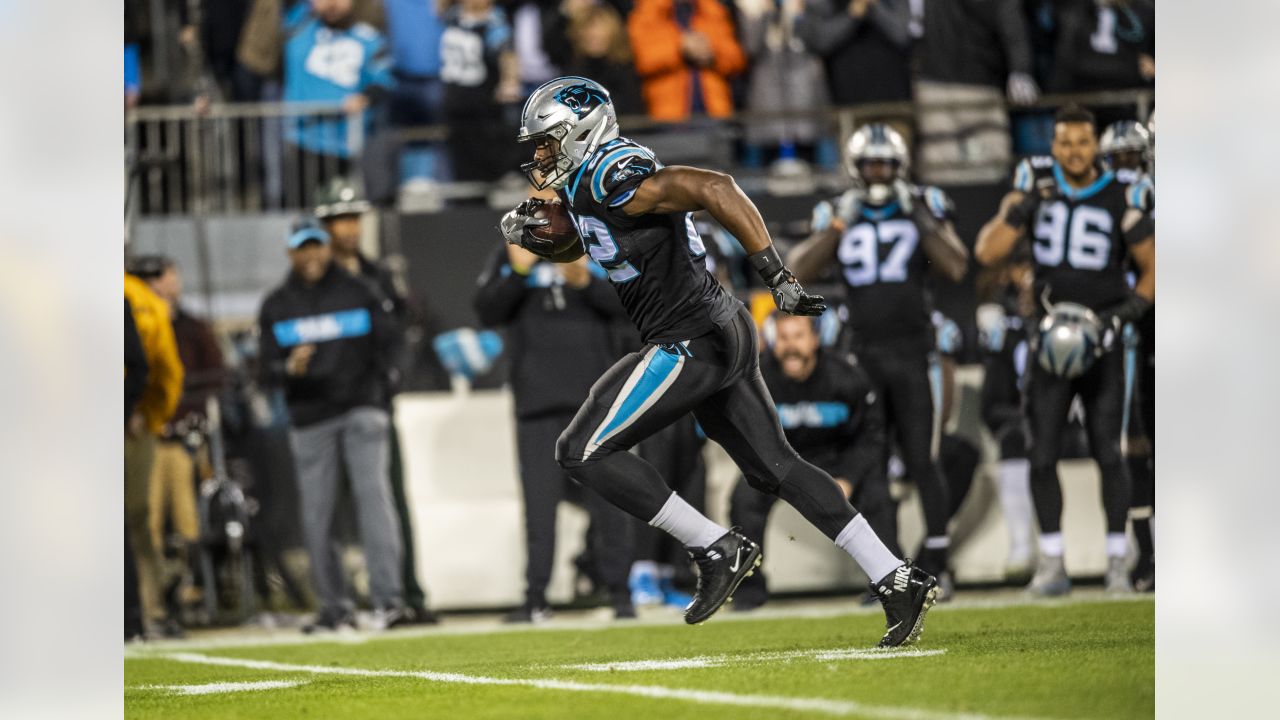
(1104, 391)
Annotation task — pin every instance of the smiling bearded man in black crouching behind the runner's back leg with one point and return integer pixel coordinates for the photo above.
(833, 418)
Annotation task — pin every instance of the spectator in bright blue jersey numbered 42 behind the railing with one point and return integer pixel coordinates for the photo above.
(332, 57)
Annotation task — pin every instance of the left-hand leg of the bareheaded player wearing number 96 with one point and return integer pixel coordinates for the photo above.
(1049, 403)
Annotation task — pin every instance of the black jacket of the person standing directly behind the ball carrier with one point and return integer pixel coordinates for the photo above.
(560, 340)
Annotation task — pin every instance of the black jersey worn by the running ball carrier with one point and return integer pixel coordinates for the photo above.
(656, 262)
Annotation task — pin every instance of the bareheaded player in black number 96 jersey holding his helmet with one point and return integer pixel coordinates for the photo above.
(1084, 227)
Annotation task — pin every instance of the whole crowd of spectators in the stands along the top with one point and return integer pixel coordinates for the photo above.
(470, 63)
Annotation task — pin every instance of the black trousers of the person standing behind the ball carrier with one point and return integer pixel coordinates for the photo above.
(546, 485)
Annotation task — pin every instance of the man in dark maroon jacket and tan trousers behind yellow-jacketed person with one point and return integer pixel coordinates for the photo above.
(173, 475)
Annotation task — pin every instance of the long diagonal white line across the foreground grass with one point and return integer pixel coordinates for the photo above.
(660, 692)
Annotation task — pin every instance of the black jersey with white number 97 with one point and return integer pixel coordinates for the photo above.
(885, 268)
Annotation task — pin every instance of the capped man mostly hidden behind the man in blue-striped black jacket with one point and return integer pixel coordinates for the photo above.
(340, 208)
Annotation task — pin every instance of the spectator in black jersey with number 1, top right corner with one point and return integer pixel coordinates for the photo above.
(1105, 45)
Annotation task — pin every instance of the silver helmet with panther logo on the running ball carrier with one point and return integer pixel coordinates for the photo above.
(572, 117)
